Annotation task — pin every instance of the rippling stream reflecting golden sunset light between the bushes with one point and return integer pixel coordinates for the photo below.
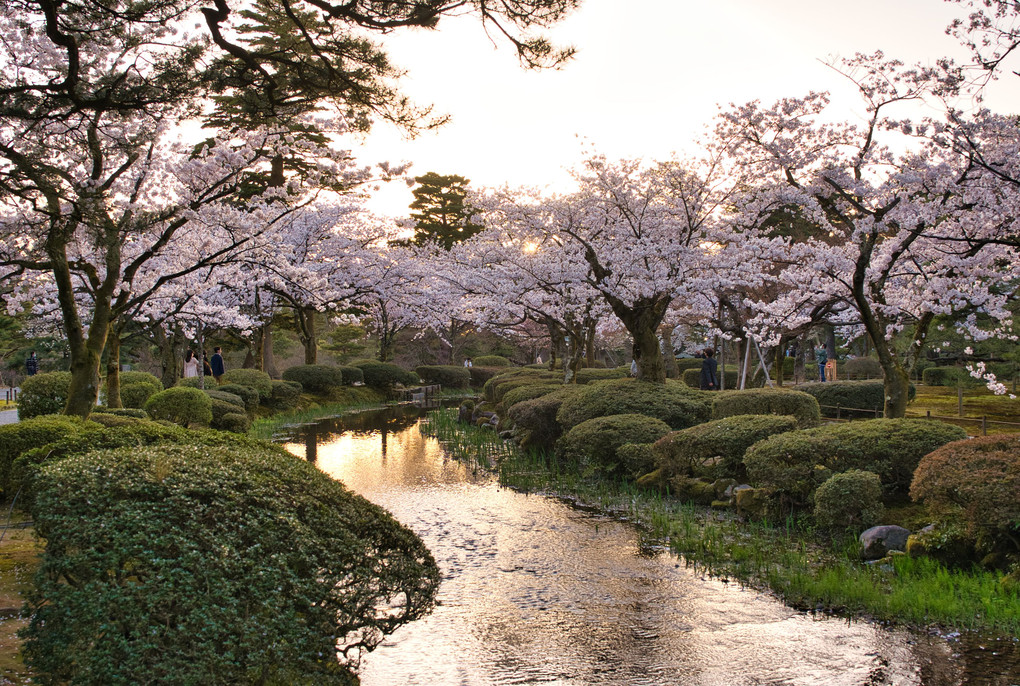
(535, 592)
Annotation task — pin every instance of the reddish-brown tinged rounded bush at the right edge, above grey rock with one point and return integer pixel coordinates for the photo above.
(977, 482)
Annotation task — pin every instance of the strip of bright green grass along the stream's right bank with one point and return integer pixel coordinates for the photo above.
(807, 569)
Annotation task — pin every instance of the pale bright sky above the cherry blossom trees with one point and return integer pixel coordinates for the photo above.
(647, 80)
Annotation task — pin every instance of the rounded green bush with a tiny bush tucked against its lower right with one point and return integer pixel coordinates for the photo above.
(593, 444)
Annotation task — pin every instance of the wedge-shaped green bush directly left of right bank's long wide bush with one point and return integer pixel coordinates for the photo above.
(716, 450)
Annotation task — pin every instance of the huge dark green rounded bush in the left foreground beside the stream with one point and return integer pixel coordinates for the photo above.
(238, 564)
